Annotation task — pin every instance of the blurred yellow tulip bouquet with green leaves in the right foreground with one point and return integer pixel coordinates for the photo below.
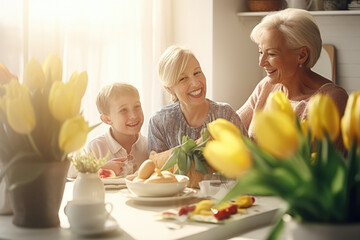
(295, 160)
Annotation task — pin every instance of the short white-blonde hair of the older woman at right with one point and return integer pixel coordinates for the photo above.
(298, 27)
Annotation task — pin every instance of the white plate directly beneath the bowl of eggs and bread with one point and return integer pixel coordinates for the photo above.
(187, 193)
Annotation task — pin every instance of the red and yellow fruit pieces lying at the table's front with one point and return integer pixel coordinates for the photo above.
(208, 208)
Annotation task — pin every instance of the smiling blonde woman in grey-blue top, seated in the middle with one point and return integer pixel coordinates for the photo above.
(182, 77)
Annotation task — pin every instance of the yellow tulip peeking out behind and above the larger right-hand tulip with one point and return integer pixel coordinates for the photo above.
(278, 101)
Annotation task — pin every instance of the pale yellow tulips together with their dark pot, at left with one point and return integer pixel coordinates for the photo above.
(40, 125)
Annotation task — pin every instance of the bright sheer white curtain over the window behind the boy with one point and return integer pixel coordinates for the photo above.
(113, 40)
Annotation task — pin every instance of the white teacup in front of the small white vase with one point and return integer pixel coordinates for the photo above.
(87, 216)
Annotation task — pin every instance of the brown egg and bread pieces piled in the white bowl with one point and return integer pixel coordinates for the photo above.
(148, 173)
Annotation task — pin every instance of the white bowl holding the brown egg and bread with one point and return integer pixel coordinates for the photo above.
(156, 189)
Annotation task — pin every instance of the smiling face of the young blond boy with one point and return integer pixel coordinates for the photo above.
(125, 114)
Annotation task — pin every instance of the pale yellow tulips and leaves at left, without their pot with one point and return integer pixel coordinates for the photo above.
(40, 119)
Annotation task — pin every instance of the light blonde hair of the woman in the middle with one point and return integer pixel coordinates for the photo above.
(171, 64)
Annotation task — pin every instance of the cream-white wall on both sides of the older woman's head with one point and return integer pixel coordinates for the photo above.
(229, 58)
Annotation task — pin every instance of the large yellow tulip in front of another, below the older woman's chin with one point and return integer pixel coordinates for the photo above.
(276, 133)
